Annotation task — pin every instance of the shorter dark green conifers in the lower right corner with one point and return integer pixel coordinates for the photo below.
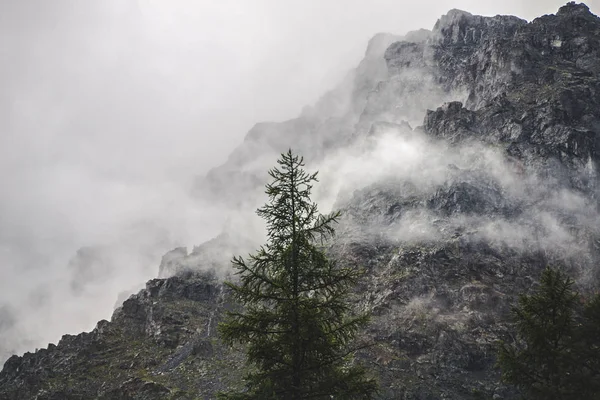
(556, 354)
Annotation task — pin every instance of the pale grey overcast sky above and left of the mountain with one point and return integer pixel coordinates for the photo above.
(109, 107)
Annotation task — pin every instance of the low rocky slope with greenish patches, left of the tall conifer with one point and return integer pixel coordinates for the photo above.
(159, 345)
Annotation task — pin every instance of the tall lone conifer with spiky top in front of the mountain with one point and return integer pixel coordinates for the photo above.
(297, 324)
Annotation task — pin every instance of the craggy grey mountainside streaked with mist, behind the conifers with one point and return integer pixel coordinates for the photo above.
(464, 159)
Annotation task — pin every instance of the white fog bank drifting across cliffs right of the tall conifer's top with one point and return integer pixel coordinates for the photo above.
(524, 211)
